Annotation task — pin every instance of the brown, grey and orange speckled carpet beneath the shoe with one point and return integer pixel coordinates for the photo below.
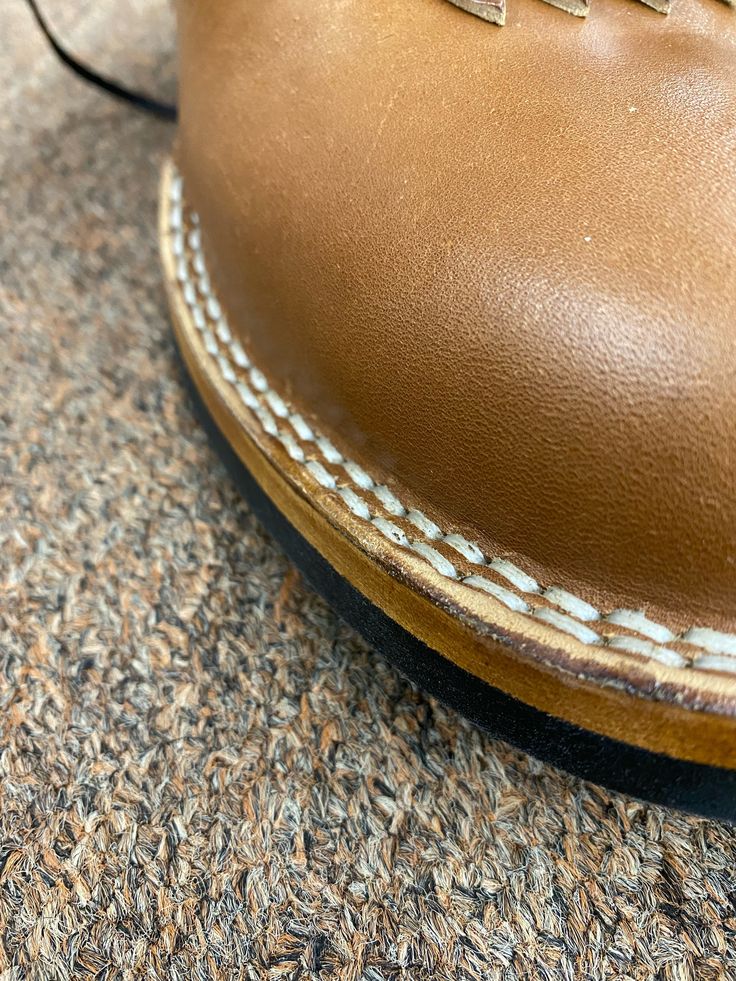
(203, 774)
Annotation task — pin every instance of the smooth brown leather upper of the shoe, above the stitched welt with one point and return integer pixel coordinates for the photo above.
(497, 264)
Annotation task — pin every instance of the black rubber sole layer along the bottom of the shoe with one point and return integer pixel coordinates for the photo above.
(704, 790)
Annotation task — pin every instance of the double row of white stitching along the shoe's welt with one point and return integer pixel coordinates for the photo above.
(719, 645)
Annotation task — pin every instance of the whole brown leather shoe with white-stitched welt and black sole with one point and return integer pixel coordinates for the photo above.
(463, 302)
